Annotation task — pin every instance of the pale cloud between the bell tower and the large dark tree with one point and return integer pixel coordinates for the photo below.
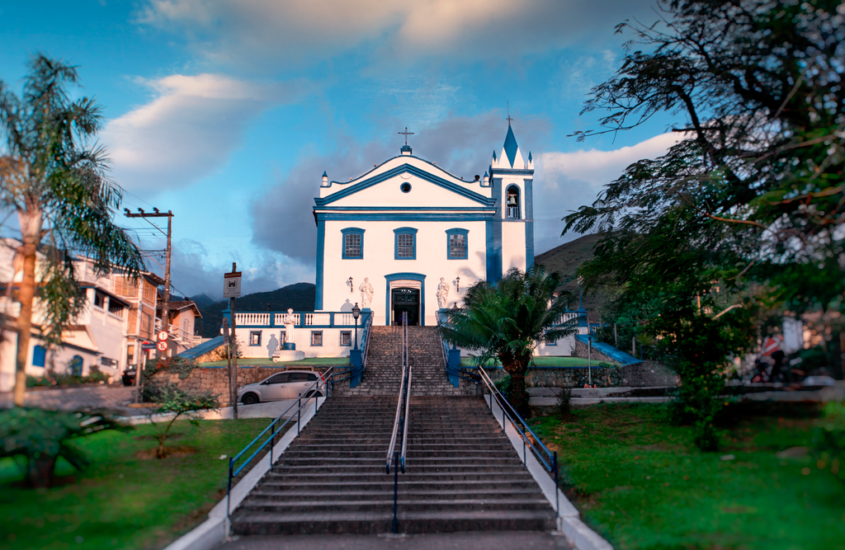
(566, 181)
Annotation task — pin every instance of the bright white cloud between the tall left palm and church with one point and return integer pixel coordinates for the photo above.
(189, 129)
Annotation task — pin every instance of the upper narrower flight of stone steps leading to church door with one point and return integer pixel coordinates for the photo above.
(384, 365)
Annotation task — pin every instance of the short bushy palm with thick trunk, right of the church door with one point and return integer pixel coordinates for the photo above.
(508, 319)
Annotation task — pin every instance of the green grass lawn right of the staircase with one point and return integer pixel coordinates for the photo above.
(642, 484)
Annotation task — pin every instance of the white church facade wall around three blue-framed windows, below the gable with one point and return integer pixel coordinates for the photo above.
(379, 261)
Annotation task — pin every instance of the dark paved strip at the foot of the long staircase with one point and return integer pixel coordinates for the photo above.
(485, 540)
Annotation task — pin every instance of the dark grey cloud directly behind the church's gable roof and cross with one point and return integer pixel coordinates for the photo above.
(281, 216)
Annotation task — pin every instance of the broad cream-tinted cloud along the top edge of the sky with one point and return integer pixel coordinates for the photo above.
(291, 32)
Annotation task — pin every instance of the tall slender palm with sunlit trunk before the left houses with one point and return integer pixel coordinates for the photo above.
(53, 176)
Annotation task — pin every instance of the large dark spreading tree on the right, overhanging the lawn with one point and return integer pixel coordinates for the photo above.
(746, 210)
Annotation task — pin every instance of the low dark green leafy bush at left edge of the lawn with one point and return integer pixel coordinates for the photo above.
(41, 437)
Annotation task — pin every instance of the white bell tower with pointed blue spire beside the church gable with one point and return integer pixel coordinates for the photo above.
(512, 179)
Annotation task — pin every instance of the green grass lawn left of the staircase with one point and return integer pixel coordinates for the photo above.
(122, 501)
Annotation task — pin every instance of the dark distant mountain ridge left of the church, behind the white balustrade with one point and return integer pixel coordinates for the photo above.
(299, 296)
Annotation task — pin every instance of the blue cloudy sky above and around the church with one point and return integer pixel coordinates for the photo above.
(227, 113)
